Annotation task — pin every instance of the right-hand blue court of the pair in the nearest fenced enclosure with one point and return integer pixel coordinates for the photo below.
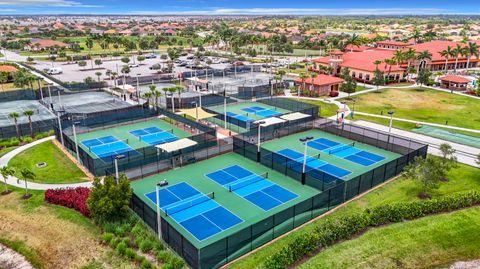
(252, 187)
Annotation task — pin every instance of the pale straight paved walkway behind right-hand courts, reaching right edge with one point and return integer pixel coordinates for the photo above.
(465, 154)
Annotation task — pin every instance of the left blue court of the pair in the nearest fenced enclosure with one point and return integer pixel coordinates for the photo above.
(198, 213)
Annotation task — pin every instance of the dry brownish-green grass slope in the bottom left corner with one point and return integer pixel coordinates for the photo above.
(52, 236)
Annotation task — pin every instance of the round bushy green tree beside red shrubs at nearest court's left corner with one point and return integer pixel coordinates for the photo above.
(109, 201)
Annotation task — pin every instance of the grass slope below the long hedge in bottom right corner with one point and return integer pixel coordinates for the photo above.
(429, 242)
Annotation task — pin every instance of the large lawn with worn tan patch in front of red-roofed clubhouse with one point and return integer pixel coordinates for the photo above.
(422, 105)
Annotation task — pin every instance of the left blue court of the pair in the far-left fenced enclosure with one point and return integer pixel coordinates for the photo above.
(108, 146)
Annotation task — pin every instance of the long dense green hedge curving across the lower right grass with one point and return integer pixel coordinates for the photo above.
(332, 230)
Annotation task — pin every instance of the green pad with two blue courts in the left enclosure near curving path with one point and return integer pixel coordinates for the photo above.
(134, 136)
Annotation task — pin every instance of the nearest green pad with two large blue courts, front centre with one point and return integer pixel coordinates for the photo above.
(245, 201)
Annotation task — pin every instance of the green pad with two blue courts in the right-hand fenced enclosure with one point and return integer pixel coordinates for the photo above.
(329, 153)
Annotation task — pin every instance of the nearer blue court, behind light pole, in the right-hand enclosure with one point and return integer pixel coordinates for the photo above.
(312, 163)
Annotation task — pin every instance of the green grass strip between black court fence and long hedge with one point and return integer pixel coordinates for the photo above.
(462, 178)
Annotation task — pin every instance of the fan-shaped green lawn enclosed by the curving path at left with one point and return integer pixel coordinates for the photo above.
(59, 169)
